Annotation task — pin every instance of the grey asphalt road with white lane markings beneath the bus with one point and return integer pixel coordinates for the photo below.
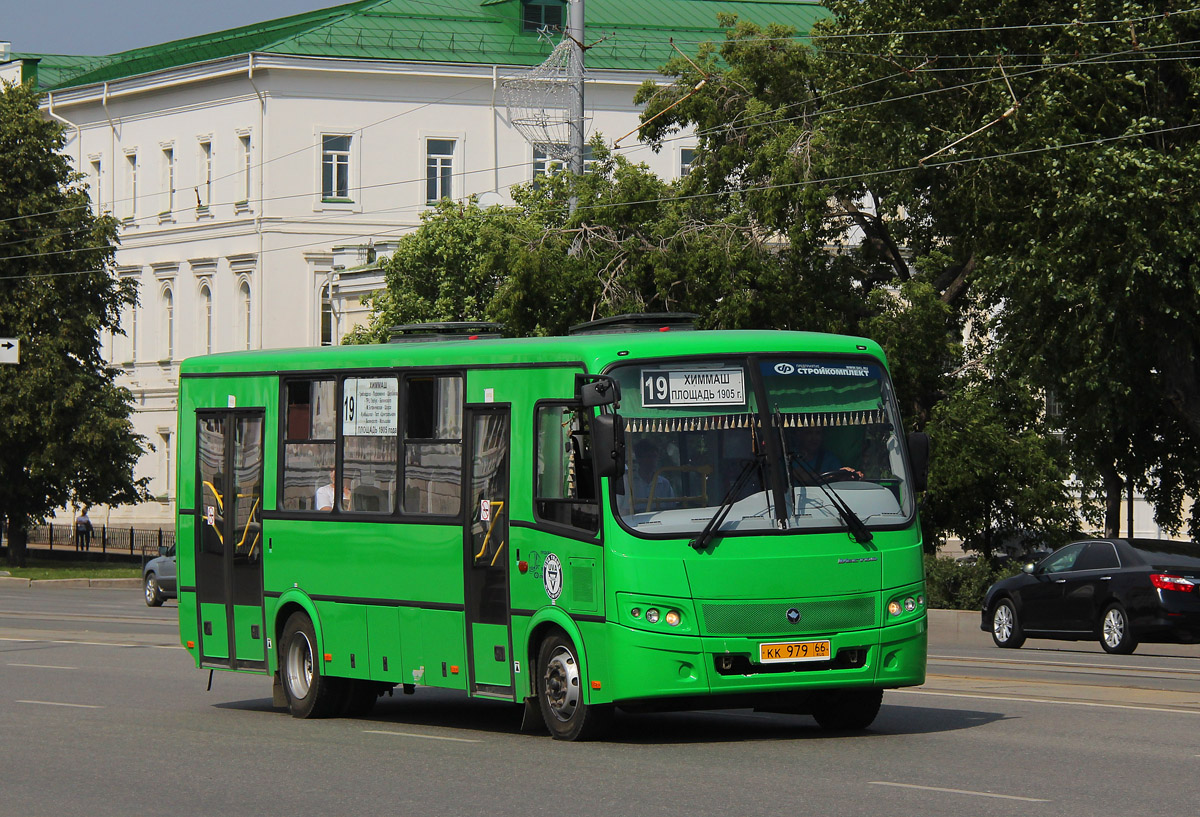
(103, 714)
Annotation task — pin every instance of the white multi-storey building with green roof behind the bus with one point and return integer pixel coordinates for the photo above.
(262, 173)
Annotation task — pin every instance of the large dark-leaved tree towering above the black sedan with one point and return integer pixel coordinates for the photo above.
(1035, 166)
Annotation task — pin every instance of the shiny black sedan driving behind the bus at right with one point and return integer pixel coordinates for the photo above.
(1119, 591)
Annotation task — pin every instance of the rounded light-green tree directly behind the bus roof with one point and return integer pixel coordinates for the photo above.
(631, 247)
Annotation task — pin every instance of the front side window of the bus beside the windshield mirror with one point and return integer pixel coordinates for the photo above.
(566, 490)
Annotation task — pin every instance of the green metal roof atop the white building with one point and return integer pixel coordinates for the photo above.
(626, 34)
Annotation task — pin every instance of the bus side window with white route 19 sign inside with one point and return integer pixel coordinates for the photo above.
(370, 418)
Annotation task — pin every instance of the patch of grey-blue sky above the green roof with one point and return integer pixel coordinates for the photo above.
(89, 28)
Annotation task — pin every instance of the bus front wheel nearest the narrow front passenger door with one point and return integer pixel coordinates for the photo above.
(561, 693)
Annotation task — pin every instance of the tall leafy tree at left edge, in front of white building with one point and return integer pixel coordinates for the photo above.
(67, 436)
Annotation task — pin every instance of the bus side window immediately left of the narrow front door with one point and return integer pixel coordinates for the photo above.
(434, 446)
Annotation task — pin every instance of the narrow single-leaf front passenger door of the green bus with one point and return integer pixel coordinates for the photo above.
(487, 557)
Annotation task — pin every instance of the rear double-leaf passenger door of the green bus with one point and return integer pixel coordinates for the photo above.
(230, 539)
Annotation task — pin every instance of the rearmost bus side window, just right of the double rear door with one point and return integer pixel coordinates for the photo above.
(309, 446)
